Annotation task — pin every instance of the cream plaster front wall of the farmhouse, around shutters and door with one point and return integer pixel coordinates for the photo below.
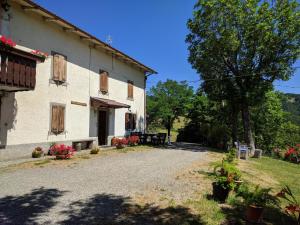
(31, 122)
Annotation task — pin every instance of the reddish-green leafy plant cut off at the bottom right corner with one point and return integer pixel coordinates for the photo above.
(293, 207)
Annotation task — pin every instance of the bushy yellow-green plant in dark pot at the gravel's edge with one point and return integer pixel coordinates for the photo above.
(226, 177)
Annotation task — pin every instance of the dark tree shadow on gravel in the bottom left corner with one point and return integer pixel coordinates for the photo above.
(27, 208)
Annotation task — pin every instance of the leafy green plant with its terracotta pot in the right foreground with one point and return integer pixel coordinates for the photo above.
(256, 202)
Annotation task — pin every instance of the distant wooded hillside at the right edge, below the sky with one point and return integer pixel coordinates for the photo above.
(291, 104)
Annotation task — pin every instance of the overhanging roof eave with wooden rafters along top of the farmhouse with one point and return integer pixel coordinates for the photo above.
(48, 16)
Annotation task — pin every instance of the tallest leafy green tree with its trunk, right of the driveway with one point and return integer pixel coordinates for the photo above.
(242, 47)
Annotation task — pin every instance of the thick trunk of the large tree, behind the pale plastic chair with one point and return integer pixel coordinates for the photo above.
(247, 128)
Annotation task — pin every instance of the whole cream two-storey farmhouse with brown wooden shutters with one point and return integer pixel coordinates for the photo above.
(84, 91)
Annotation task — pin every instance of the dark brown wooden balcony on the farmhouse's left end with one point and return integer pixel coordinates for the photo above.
(17, 70)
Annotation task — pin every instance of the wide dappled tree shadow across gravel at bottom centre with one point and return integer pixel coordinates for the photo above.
(107, 209)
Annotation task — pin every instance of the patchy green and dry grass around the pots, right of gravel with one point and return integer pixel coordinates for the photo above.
(266, 172)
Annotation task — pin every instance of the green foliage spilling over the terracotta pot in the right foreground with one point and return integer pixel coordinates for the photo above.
(259, 197)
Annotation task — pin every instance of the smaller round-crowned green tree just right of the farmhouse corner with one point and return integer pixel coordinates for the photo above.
(167, 101)
